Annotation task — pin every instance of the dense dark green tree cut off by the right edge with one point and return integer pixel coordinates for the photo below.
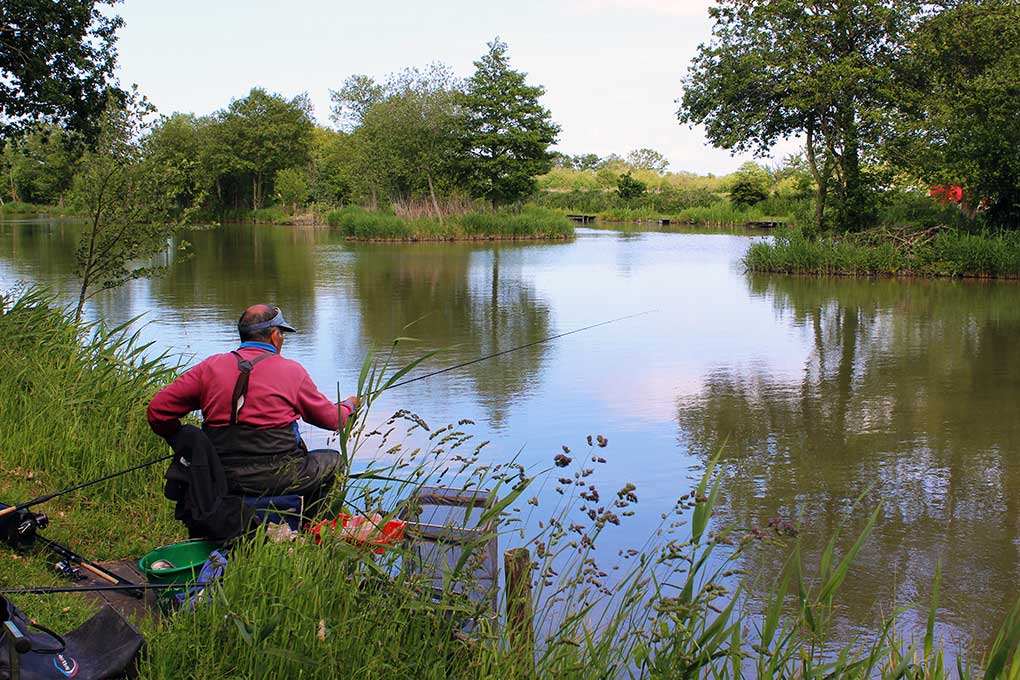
(959, 123)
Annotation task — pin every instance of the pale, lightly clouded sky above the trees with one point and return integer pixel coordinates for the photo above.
(613, 69)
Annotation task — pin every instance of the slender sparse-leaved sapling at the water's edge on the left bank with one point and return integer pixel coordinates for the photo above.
(128, 203)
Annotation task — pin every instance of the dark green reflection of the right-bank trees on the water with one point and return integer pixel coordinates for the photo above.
(907, 391)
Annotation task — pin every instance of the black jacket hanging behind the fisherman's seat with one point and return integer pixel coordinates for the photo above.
(196, 482)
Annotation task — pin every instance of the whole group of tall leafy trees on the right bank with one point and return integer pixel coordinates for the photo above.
(887, 95)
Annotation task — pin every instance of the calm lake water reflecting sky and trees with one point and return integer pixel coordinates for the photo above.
(817, 390)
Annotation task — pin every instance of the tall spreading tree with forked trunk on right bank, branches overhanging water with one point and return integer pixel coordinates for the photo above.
(781, 69)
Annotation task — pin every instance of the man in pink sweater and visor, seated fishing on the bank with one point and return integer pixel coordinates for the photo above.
(251, 400)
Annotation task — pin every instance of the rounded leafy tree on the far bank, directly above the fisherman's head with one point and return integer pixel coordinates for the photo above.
(264, 134)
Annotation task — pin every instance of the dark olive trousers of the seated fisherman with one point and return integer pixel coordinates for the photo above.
(311, 476)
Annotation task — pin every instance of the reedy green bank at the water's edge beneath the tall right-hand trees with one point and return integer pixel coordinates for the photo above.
(934, 252)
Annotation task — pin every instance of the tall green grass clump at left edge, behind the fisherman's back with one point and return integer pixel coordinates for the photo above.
(73, 396)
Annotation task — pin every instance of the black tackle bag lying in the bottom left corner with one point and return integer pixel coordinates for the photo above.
(105, 647)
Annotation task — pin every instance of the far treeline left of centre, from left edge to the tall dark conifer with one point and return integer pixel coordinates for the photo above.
(421, 139)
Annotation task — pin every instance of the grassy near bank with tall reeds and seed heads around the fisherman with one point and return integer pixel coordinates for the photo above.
(675, 606)
